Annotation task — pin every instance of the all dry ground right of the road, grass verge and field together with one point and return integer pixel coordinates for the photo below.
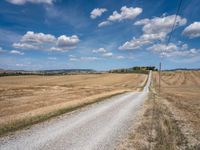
(169, 121)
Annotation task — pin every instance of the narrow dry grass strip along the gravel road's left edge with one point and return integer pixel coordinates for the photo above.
(20, 124)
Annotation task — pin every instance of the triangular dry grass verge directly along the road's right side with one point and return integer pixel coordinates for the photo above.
(155, 129)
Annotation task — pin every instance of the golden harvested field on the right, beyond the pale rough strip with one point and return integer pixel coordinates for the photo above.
(182, 90)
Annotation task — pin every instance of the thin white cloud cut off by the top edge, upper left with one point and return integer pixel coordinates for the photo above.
(22, 2)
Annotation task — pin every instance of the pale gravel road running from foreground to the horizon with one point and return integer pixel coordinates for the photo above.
(97, 127)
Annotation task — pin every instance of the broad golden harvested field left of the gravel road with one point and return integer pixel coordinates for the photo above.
(23, 99)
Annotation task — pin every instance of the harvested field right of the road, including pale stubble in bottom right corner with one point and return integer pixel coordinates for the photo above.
(180, 92)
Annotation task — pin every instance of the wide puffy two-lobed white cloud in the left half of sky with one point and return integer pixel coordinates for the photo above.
(49, 42)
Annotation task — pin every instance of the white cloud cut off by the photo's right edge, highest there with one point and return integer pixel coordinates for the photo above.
(193, 30)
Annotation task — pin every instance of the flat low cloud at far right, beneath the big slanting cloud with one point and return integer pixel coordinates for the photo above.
(173, 50)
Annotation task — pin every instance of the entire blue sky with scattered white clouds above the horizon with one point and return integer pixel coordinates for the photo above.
(98, 34)
